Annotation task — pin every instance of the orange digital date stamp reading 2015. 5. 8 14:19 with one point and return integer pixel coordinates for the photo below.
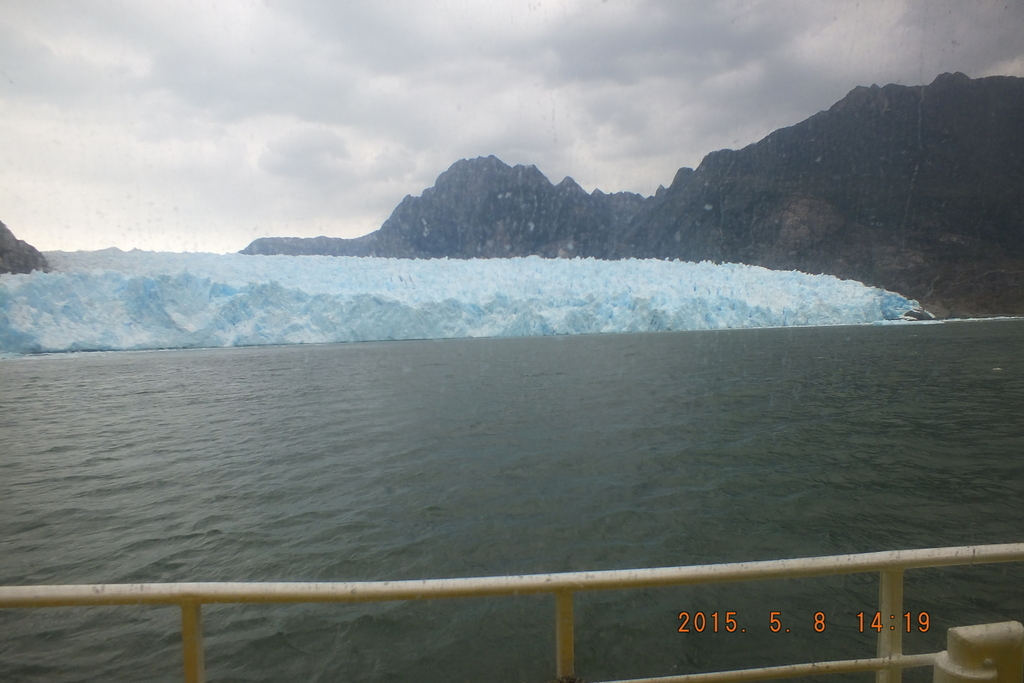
(730, 622)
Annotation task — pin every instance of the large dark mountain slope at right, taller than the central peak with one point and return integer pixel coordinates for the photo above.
(918, 190)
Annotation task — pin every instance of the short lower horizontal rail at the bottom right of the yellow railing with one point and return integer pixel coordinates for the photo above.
(797, 670)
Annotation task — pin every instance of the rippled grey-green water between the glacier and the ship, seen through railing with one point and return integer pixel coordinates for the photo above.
(463, 458)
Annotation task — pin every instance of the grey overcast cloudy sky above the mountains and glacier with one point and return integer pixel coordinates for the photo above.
(200, 126)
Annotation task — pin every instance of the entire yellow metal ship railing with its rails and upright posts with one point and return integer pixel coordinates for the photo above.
(891, 566)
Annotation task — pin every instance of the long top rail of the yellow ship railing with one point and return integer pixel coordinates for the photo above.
(378, 591)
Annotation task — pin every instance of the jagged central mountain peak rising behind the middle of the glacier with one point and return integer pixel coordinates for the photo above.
(484, 208)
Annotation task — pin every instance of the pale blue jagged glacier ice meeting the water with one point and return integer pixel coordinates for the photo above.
(116, 301)
